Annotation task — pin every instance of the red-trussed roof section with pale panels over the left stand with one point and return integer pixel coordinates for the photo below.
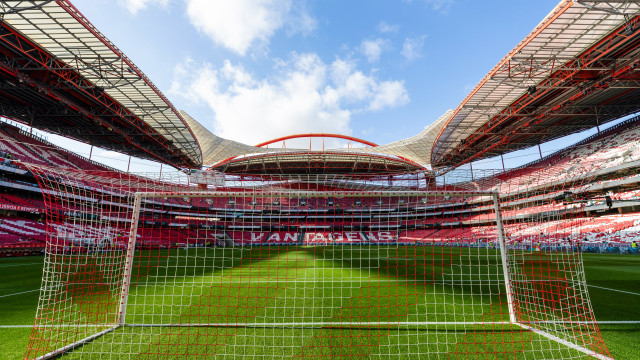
(60, 74)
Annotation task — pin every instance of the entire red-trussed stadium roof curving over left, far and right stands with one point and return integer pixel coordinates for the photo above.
(576, 70)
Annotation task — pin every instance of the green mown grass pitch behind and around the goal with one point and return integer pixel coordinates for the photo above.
(313, 280)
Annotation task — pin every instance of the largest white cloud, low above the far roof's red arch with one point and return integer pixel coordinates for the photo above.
(305, 95)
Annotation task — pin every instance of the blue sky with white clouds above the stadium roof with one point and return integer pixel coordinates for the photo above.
(252, 70)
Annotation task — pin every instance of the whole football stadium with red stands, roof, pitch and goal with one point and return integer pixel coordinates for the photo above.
(392, 251)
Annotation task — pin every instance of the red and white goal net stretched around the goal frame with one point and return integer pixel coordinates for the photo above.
(378, 267)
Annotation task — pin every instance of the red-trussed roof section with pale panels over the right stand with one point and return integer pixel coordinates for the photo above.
(577, 69)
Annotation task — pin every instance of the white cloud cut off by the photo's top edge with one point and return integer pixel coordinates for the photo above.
(239, 25)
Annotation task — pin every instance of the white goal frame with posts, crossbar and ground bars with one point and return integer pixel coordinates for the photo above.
(131, 247)
